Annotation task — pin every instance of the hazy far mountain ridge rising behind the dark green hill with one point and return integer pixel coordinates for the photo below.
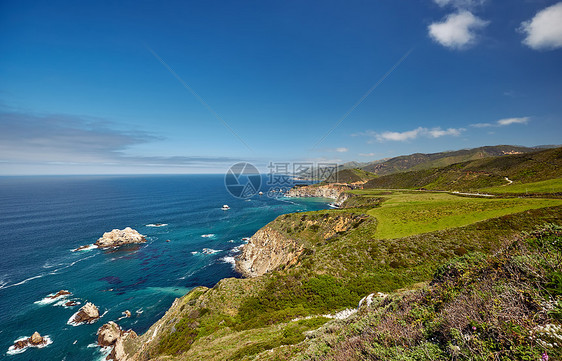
(419, 161)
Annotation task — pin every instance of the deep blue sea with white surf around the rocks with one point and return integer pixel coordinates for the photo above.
(42, 219)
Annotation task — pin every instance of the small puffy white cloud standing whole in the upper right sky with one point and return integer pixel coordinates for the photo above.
(457, 30)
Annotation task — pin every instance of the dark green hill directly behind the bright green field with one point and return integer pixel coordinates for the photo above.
(480, 173)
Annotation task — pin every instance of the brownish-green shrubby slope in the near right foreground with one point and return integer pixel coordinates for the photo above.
(477, 307)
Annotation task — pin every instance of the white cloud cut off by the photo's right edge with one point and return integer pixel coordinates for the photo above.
(544, 31)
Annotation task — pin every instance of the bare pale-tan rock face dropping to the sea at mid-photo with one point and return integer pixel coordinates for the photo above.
(265, 251)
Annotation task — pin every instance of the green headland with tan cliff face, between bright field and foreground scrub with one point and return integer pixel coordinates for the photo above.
(277, 315)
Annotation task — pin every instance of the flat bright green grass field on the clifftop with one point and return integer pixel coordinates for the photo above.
(404, 214)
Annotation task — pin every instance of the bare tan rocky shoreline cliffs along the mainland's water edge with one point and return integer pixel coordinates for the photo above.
(267, 250)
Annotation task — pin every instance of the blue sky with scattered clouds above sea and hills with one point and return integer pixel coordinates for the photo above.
(142, 87)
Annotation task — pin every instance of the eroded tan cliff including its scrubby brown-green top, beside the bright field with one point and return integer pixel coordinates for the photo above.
(283, 241)
